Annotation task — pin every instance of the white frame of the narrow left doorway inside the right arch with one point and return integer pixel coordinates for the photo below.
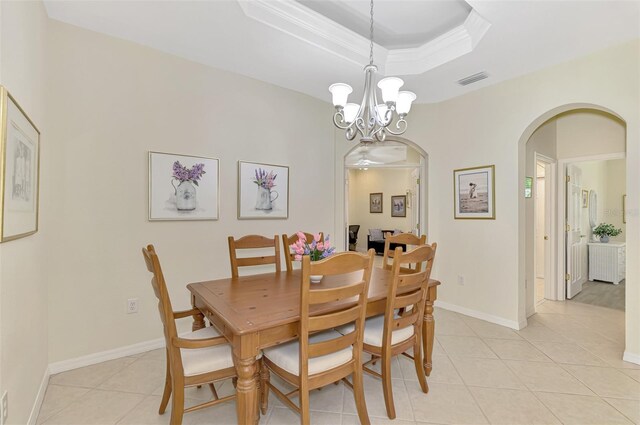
(550, 267)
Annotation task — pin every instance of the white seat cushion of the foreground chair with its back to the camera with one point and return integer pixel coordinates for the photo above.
(287, 355)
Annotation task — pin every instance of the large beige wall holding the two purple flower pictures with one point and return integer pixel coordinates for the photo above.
(111, 101)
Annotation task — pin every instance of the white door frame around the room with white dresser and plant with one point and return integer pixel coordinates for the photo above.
(562, 210)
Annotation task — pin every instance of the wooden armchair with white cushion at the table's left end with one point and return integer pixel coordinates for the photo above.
(193, 359)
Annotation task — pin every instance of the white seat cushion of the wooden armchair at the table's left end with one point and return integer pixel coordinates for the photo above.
(203, 360)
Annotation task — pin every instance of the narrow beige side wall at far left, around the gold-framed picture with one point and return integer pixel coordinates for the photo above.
(23, 262)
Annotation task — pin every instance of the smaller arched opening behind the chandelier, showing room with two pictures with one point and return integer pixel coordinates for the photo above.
(385, 188)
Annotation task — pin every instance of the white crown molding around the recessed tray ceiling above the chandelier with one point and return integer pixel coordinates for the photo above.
(300, 22)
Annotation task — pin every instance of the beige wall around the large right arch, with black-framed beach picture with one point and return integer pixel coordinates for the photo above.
(498, 120)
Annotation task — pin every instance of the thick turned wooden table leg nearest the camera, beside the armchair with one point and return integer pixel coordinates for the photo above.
(247, 390)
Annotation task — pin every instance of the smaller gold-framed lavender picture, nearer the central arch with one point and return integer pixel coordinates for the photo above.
(263, 191)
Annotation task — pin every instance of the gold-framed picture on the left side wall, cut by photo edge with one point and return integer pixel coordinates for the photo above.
(19, 170)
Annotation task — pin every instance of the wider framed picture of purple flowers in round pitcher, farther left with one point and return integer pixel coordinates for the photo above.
(183, 187)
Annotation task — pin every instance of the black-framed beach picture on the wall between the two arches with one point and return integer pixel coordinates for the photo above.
(474, 193)
